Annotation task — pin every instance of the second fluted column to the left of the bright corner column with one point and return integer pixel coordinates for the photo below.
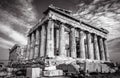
(36, 44)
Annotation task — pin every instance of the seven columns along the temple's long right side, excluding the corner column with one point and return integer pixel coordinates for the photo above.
(96, 45)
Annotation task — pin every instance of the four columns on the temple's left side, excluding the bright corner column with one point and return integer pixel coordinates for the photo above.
(36, 43)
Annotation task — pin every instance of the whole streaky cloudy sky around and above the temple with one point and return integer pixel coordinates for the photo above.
(18, 16)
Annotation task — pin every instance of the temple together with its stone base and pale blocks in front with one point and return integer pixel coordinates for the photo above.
(59, 36)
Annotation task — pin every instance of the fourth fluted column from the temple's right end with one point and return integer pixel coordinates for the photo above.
(89, 46)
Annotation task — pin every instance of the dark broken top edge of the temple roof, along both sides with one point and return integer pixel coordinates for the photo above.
(66, 13)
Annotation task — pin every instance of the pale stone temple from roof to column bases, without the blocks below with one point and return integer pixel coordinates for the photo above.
(60, 34)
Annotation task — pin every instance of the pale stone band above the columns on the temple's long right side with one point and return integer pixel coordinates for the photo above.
(84, 27)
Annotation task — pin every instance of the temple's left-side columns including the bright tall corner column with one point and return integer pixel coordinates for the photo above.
(41, 42)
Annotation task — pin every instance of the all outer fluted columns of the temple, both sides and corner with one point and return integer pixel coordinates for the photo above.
(41, 43)
